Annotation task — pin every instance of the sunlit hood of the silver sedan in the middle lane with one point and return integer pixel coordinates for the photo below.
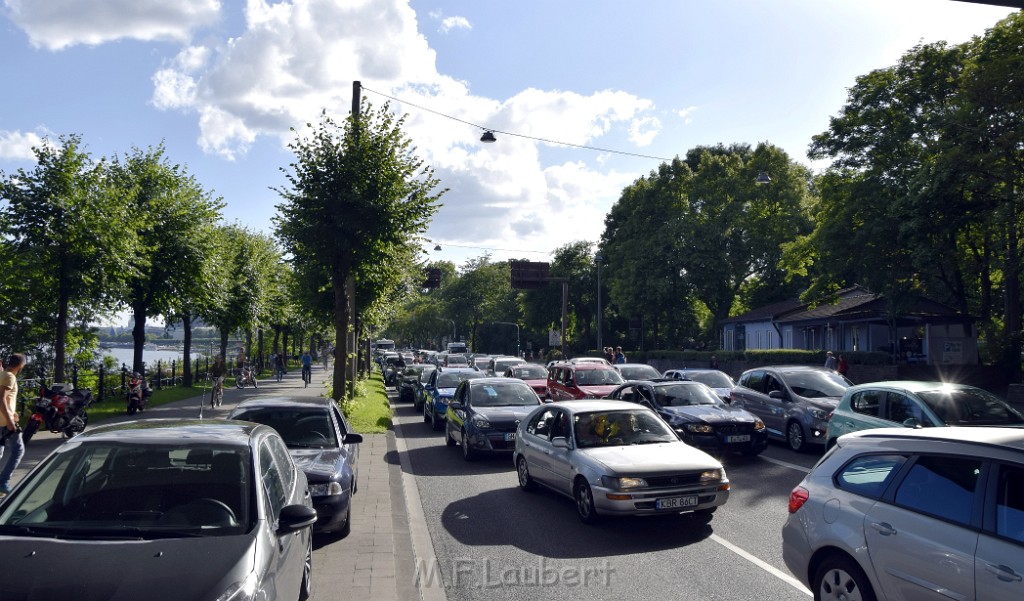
(663, 458)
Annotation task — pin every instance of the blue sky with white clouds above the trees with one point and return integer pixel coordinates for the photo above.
(228, 84)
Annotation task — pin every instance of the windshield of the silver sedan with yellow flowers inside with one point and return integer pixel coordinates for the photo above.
(617, 428)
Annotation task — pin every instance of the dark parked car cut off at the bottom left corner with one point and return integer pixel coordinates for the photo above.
(161, 510)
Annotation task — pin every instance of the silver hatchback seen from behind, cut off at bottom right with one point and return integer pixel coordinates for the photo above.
(904, 514)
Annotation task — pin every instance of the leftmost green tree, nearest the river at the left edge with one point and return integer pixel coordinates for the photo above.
(66, 230)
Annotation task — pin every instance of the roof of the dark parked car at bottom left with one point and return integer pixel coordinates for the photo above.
(170, 431)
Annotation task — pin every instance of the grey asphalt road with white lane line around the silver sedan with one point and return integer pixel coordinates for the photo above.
(494, 541)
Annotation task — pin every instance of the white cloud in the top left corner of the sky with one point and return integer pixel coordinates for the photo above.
(58, 24)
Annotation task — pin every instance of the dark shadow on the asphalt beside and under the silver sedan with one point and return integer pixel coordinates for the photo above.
(545, 524)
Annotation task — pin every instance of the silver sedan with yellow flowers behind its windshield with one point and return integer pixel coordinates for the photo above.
(616, 458)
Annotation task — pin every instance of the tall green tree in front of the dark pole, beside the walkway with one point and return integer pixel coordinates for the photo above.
(357, 196)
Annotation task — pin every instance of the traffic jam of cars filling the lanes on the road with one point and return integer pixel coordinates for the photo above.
(895, 490)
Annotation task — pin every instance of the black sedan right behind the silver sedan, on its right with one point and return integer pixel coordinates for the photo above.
(699, 416)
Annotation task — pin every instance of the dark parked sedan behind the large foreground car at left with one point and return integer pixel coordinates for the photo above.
(322, 445)
